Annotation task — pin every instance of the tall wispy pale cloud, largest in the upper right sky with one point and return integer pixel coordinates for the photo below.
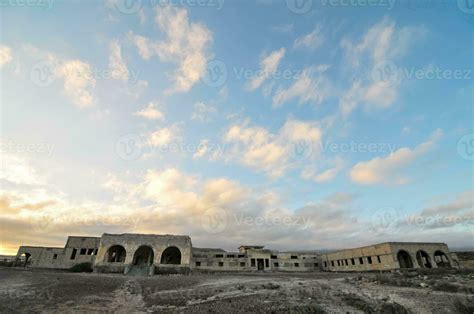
(379, 49)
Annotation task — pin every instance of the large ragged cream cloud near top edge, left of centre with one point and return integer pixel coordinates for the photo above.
(186, 44)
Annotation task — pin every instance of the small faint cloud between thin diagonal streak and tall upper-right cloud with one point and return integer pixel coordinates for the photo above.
(311, 86)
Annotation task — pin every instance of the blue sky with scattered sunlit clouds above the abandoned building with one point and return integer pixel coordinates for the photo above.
(295, 124)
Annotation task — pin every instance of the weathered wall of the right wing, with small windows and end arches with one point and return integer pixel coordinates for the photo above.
(384, 256)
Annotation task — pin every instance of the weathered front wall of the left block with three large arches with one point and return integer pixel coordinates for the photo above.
(132, 242)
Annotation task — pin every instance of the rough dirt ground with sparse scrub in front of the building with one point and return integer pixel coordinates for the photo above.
(33, 290)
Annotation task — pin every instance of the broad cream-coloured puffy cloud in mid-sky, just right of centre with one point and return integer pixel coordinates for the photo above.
(273, 154)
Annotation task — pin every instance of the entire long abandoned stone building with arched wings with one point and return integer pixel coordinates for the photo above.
(151, 254)
